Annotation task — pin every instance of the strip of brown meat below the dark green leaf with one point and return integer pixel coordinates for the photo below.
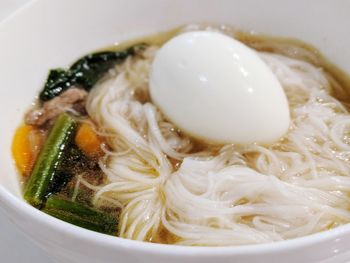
(50, 109)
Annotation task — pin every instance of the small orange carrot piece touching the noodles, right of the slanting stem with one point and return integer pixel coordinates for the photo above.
(88, 141)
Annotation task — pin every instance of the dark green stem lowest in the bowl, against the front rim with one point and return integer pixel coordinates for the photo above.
(81, 215)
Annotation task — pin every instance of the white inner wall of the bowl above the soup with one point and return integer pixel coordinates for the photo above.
(49, 34)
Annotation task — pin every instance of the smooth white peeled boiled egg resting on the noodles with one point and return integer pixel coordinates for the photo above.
(215, 88)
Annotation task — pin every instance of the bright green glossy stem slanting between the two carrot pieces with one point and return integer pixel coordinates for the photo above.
(50, 158)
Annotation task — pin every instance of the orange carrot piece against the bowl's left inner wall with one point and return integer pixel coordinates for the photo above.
(25, 146)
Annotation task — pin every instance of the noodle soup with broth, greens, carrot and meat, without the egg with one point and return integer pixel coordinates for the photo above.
(123, 169)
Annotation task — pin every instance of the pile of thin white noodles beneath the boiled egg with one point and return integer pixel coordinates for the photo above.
(171, 191)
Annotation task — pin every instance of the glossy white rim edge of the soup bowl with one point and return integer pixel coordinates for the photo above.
(26, 211)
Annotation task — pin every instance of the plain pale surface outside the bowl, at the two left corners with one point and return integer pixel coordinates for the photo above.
(14, 246)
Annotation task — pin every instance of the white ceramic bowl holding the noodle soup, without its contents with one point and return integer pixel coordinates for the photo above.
(47, 34)
